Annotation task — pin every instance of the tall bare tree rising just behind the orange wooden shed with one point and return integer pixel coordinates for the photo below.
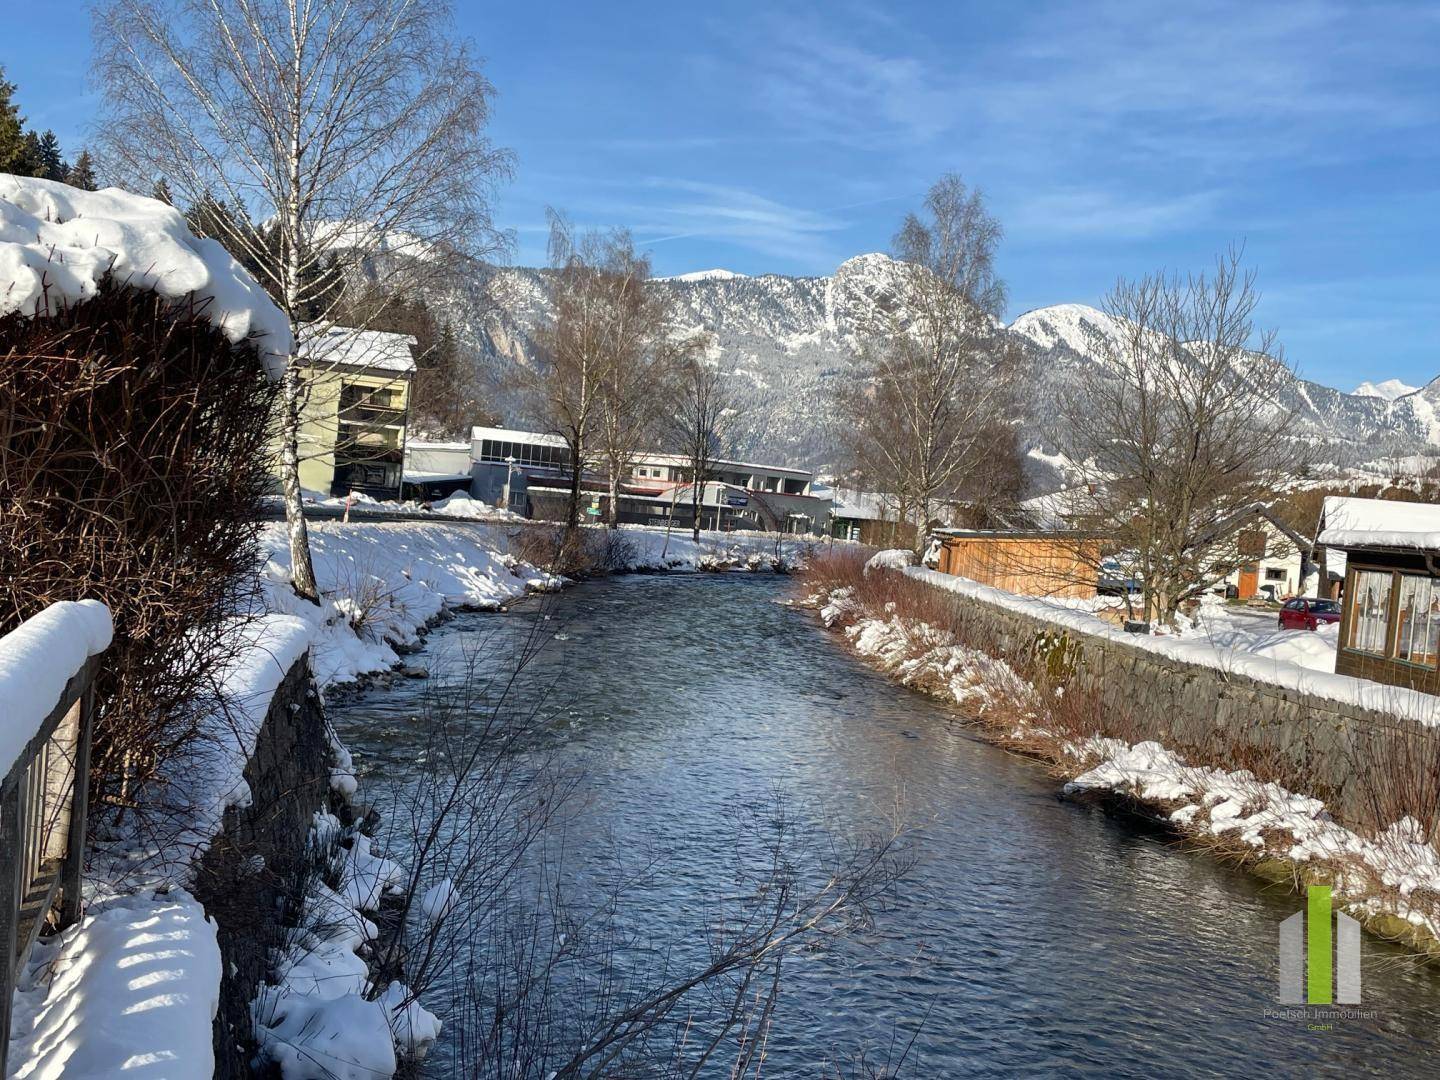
(930, 411)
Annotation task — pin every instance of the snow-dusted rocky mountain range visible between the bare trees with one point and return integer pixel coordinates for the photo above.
(787, 341)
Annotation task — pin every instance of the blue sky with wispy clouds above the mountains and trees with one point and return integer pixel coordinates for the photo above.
(1112, 139)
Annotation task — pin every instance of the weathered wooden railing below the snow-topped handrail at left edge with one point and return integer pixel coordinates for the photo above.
(42, 833)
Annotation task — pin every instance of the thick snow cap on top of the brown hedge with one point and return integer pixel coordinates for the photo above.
(57, 243)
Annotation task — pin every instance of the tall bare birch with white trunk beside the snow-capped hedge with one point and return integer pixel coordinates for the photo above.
(354, 132)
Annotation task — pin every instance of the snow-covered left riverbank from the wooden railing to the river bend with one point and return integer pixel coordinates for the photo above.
(382, 584)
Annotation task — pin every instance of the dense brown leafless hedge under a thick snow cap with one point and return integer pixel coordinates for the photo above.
(133, 459)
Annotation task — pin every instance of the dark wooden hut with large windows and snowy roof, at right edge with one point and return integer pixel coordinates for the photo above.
(1390, 618)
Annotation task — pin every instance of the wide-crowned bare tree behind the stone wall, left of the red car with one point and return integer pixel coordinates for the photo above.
(1183, 431)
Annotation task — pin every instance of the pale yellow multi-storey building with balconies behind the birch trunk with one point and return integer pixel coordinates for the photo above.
(355, 405)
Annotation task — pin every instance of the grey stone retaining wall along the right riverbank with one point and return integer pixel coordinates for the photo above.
(1207, 714)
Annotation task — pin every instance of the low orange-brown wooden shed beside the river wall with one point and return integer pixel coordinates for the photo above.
(1025, 562)
